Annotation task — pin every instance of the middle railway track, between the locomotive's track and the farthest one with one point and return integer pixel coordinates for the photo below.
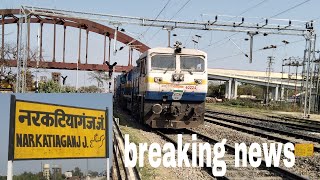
(263, 131)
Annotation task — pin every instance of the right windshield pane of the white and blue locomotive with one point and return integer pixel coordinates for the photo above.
(191, 63)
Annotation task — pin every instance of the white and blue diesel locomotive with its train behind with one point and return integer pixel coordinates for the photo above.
(167, 88)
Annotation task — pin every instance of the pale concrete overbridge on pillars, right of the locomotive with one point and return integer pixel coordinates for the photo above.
(277, 82)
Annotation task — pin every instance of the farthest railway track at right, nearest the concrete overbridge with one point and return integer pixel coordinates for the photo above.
(301, 124)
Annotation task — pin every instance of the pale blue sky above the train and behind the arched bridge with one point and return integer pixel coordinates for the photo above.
(223, 48)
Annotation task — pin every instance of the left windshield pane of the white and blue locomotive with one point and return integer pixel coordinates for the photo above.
(167, 62)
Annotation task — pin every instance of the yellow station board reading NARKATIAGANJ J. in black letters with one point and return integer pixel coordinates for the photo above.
(50, 131)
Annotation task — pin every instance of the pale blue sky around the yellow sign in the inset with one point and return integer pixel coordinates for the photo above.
(97, 101)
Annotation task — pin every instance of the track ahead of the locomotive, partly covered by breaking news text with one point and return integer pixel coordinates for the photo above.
(262, 172)
